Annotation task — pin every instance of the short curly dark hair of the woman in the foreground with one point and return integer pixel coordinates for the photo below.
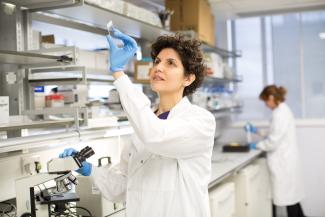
(190, 54)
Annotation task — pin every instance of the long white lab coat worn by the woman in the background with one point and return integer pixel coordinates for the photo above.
(283, 158)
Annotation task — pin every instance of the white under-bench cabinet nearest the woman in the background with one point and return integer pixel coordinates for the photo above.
(253, 191)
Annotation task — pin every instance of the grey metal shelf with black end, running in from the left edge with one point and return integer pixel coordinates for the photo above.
(28, 59)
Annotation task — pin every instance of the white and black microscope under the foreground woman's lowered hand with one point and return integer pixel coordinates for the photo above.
(33, 192)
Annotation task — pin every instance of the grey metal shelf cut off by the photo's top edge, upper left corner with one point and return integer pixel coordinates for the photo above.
(38, 5)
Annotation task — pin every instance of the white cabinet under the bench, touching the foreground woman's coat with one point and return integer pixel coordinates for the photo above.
(222, 200)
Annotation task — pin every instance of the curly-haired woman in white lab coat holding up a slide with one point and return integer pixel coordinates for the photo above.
(165, 172)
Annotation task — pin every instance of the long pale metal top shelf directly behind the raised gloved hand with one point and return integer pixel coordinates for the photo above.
(93, 18)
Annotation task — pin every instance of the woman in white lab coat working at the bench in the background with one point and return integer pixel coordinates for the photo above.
(282, 152)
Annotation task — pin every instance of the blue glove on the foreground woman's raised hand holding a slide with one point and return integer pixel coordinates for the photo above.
(119, 57)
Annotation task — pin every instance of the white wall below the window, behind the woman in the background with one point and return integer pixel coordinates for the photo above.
(311, 142)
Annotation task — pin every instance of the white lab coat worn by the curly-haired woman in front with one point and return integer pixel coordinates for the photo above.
(166, 170)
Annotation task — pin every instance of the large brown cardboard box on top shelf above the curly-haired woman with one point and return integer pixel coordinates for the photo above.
(193, 15)
